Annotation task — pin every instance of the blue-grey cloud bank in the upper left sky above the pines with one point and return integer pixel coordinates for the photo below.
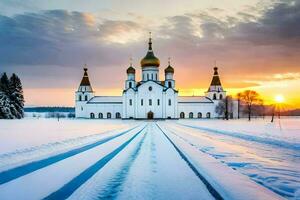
(56, 37)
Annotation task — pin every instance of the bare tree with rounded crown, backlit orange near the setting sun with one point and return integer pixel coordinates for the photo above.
(250, 98)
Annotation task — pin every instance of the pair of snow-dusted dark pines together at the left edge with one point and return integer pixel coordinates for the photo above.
(11, 97)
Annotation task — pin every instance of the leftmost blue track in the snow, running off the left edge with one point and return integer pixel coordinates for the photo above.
(17, 172)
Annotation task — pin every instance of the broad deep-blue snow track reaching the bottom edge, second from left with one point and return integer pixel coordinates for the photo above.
(69, 188)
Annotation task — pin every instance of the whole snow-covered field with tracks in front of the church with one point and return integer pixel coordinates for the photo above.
(120, 159)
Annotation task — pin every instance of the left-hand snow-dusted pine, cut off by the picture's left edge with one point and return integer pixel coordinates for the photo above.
(5, 104)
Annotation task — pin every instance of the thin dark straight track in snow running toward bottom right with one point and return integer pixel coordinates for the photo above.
(209, 187)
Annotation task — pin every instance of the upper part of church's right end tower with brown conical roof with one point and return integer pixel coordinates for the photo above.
(215, 90)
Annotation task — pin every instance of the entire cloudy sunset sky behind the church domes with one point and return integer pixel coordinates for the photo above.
(256, 44)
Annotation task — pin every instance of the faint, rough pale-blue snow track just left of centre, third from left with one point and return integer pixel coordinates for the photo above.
(114, 186)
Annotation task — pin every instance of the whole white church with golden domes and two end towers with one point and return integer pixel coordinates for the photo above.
(149, 98)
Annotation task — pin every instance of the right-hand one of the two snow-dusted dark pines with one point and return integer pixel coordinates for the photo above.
(16, 96)
